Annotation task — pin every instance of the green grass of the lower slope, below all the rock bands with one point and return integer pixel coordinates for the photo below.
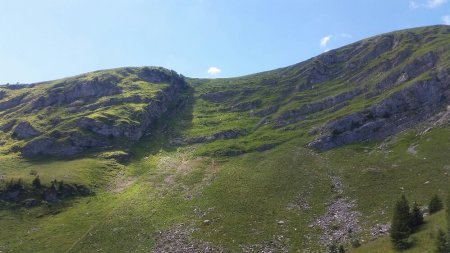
(244, 196)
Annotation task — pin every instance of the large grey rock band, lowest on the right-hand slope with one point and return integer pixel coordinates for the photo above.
(402, 109)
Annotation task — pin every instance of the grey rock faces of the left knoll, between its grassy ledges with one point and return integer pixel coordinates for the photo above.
(101, 134)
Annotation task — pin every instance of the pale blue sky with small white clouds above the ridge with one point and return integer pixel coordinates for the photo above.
(50, 39)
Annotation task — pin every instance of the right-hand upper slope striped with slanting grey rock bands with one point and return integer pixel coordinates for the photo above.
(364, 91)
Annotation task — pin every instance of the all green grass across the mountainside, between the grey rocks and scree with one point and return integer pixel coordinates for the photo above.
(170, 182)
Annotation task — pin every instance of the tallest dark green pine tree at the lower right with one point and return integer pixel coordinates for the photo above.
(401, 224)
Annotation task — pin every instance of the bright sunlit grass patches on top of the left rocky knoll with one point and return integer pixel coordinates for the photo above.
(127, 110)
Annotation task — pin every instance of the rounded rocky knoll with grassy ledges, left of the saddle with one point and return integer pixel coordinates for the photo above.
(96, 110)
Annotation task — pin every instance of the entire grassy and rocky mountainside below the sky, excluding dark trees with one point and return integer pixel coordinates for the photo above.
(303, 157)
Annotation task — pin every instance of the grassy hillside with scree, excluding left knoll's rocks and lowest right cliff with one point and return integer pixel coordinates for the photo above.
(230, 168)
